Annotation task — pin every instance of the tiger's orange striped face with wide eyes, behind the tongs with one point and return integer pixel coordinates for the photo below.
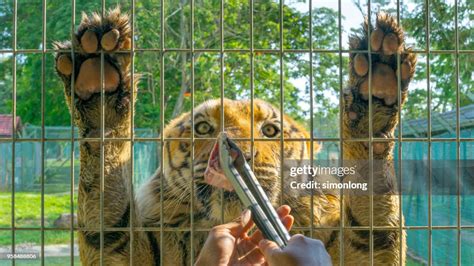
(179, 168)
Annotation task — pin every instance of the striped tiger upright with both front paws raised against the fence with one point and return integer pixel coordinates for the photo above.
(145, 227)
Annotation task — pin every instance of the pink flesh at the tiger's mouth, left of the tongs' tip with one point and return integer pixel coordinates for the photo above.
(214, 175)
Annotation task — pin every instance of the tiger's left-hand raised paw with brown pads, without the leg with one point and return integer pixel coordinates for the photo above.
(96, 35)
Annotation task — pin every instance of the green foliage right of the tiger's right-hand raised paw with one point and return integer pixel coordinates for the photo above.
(442, 66)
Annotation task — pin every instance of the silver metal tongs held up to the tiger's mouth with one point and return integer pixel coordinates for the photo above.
(247, 187)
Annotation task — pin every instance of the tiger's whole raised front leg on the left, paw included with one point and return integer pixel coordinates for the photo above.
(110, 35)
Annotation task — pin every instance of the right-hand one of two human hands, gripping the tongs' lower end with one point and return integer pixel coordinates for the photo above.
(300, 251)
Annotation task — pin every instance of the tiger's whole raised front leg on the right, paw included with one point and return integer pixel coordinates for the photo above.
(387, 43)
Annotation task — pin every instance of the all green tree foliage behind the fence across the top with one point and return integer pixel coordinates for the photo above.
(205, 68)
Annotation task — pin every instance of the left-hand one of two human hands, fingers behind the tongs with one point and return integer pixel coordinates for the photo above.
(229, 244)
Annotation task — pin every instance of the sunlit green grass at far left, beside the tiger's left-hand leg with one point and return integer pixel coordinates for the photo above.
(28, 214)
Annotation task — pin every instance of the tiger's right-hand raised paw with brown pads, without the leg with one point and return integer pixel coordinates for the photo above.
(387, 43)
